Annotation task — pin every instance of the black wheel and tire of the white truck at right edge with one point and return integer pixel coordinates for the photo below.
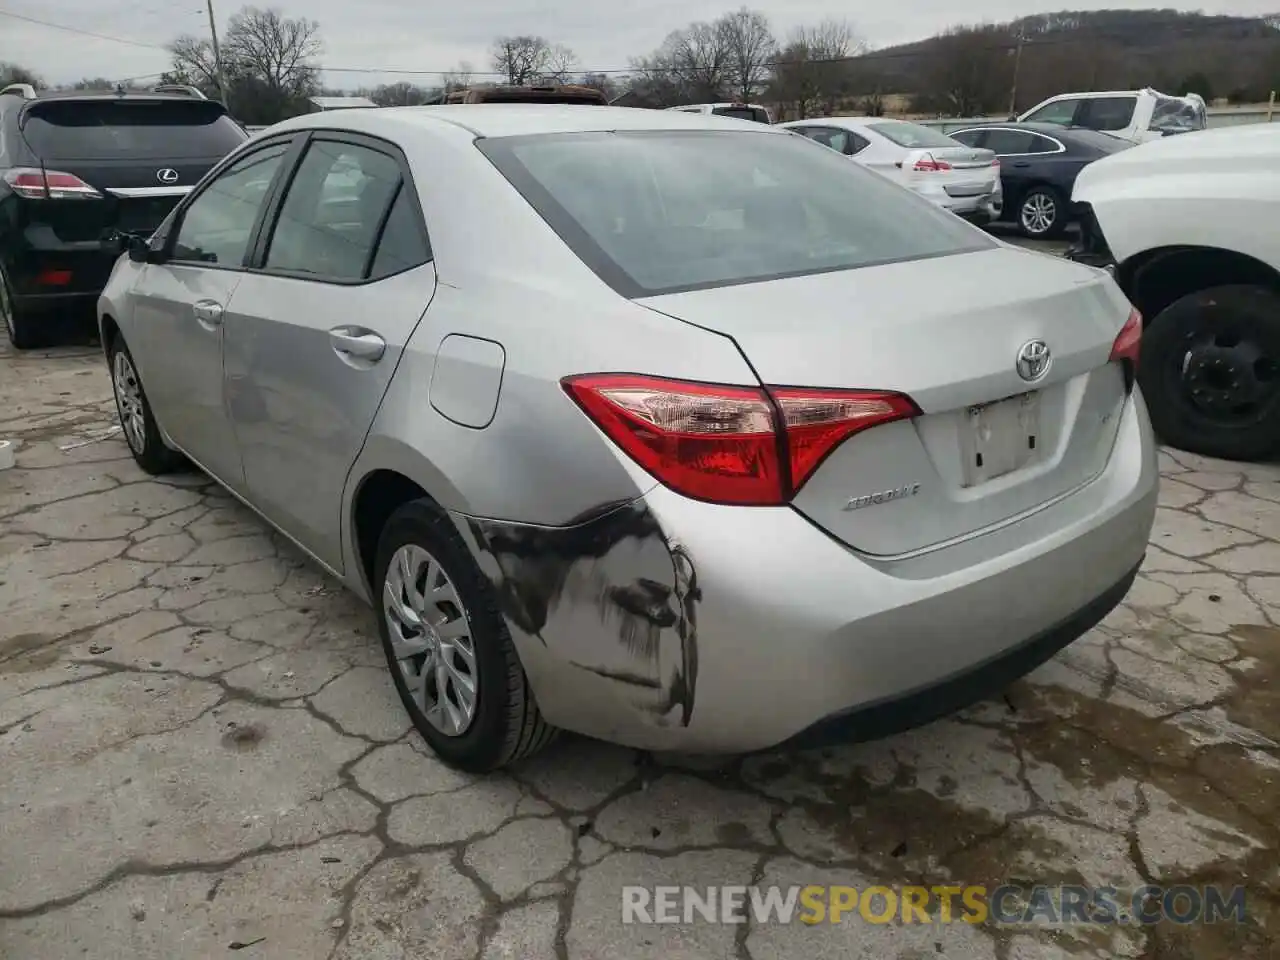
(1210, 373)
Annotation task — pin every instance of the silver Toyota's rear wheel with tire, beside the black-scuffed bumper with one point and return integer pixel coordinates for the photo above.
(449, 648)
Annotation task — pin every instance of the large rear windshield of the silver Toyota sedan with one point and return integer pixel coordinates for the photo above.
(660, 212)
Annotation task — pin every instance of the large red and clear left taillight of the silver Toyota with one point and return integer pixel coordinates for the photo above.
(723, 444)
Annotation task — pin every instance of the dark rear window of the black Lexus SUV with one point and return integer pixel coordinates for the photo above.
(112, 130)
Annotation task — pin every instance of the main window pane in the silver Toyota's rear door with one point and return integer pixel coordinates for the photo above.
(331, 218)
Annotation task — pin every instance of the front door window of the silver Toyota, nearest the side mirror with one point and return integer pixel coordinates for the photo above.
(217, 227)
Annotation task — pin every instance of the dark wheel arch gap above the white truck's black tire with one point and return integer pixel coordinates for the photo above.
(1158, 278)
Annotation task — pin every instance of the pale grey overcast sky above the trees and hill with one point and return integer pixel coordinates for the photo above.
(390, 35)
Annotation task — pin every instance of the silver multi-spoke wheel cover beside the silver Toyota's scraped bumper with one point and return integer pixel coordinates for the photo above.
(432, 643)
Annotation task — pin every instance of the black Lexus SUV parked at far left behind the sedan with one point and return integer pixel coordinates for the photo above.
(77, 168)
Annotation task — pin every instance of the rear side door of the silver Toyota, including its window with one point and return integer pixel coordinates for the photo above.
(316, 332)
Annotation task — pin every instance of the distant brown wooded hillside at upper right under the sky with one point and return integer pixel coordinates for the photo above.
(1236, 58)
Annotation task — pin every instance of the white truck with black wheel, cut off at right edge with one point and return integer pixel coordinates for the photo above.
(1187, 227)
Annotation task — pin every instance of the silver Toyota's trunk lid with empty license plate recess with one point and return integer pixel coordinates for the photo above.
(948, 332)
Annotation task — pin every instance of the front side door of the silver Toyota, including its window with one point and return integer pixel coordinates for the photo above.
(181, 307)
